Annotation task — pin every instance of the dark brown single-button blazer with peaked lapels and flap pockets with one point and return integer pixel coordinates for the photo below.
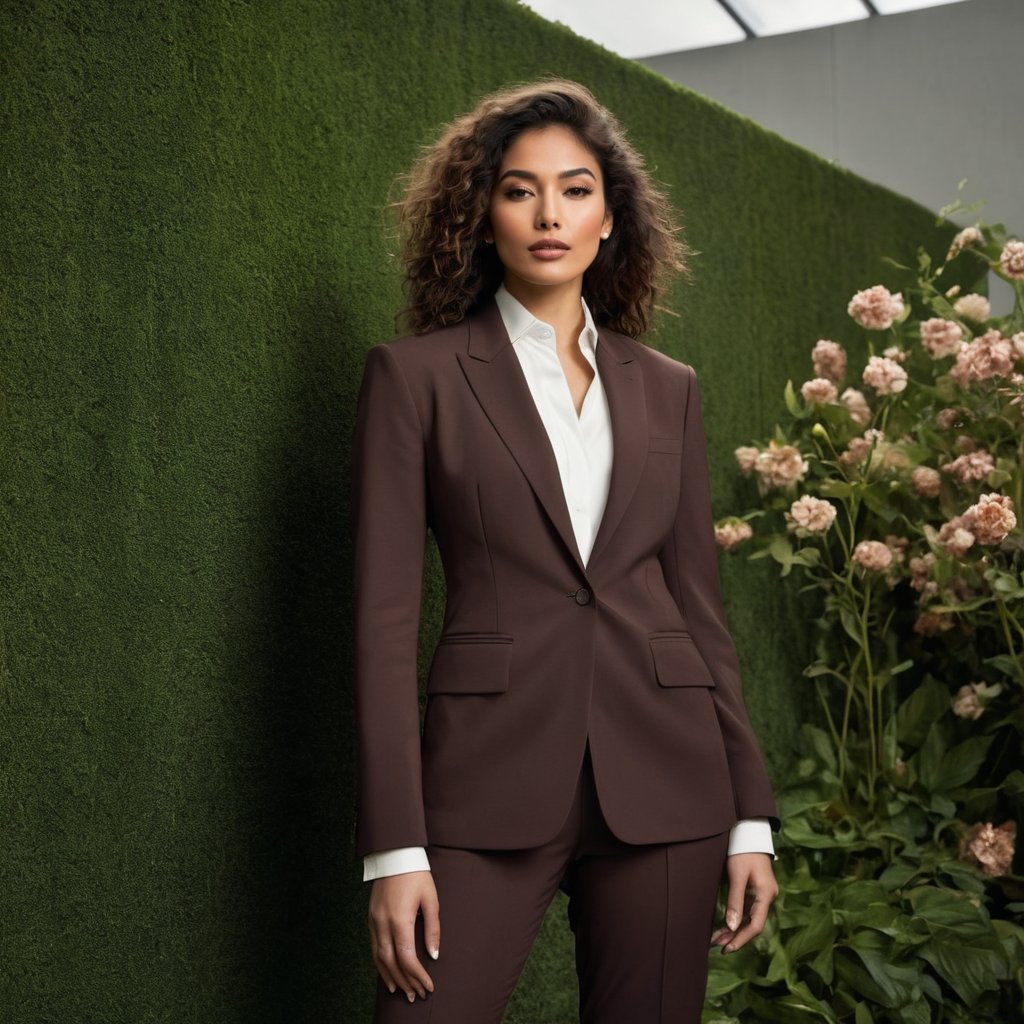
(539, 654)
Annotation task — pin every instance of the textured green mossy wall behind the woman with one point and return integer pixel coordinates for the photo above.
(194, 266)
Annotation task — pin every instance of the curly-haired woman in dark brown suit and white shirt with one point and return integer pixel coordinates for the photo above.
(585, 727)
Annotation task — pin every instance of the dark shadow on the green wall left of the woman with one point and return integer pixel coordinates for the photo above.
(308, 960)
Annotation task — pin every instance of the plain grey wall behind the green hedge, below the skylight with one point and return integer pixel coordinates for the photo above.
(916, 102)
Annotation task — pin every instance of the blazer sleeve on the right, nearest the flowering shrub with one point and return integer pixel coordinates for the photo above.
(690, 562)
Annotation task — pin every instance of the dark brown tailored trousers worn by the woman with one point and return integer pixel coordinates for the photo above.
(642, 915)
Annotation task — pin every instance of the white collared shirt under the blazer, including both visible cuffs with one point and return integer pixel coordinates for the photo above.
(583, 447)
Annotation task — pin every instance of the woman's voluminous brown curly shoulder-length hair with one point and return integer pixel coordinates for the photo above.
(443, 217)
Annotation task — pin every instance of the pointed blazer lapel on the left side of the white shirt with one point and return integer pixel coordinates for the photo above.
(495, 375)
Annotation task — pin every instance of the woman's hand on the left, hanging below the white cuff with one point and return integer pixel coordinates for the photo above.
(395, 904)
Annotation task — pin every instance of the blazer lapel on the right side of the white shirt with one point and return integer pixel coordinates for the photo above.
(623, 382)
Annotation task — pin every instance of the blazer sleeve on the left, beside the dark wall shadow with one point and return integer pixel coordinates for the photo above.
(390, 532)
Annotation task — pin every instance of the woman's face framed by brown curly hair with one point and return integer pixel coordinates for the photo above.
(547, 211)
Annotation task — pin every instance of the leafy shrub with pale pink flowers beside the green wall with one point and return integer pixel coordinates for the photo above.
(895, 496)
